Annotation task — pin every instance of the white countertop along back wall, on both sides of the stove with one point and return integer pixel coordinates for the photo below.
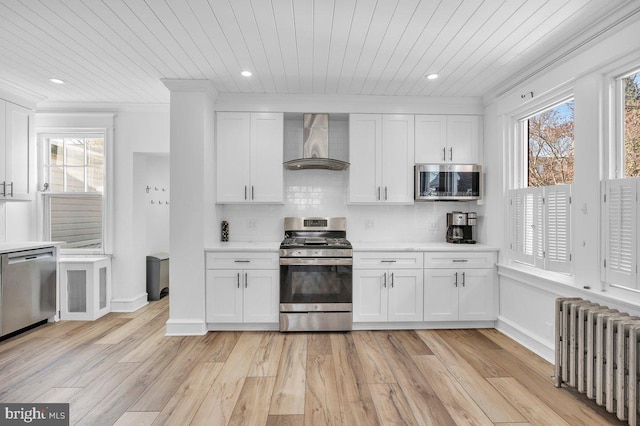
(357, 246)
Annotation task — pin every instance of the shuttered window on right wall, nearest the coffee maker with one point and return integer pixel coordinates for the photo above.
(540, 212)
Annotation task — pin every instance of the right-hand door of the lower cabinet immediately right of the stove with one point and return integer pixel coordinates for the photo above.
(405, 295)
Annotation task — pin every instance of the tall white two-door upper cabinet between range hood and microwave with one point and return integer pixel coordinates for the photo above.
(381, 155)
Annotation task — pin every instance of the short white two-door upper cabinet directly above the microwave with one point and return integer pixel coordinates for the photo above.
(447, 139)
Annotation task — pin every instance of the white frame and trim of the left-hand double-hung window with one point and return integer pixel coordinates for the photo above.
(44, 199)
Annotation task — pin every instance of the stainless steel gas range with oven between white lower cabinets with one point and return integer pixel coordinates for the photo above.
(316, 261)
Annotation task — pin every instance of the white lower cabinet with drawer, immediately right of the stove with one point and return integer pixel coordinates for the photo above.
(387, 287)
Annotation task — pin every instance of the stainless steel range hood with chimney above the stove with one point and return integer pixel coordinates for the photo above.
(315, 146)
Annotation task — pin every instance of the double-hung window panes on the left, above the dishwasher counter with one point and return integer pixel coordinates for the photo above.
(72, 177)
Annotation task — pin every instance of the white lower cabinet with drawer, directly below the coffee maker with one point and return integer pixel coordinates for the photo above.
(453, 291)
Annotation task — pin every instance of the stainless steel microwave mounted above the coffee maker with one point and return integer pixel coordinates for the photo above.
(448, 182)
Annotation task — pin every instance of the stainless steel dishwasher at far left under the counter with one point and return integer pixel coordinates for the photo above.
(27, 288)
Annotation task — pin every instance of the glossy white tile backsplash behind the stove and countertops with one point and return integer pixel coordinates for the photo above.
(324, 193)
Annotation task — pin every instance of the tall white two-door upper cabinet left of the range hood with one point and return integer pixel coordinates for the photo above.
(249, 157)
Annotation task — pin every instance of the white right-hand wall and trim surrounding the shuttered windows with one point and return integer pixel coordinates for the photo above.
(527, 298)
